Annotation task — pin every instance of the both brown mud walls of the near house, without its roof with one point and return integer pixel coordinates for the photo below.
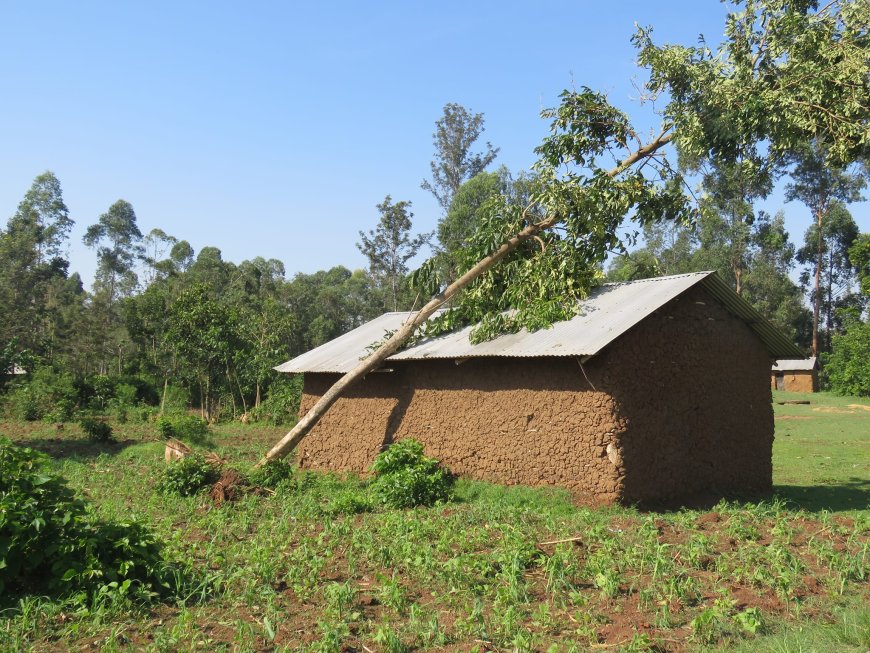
(679, 405)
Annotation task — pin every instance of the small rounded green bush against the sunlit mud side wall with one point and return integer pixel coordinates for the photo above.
(405, 477)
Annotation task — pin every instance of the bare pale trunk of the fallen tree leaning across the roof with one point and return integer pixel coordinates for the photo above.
(394, 342)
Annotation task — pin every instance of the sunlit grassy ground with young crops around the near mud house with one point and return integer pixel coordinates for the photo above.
(298, 570)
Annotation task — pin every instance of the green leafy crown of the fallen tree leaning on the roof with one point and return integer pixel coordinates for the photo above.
(786, 73)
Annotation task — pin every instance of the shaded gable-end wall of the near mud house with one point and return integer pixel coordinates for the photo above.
(698, 403)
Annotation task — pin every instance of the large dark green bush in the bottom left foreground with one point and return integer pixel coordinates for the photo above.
(50, 542)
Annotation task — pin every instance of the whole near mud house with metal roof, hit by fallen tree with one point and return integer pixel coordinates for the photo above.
(658, 389)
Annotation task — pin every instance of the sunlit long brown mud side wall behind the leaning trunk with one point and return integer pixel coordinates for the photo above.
(511, 421)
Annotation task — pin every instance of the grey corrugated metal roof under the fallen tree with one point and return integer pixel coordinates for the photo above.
(610, 311)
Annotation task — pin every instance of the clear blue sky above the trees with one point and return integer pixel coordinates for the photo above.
(273, 129)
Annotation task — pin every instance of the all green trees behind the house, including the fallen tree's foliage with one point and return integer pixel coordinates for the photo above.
(161, 312)
